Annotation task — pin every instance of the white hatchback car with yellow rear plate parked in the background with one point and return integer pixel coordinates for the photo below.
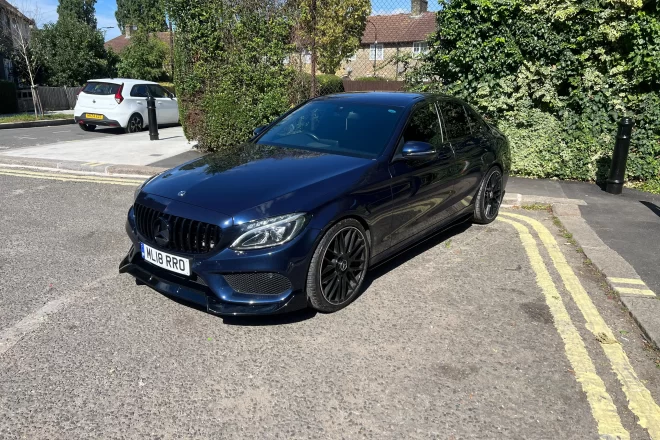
(122, 102)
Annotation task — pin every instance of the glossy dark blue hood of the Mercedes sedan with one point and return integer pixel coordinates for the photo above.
(270, 179)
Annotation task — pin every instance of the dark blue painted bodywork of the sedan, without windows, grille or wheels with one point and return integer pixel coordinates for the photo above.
(398, 202)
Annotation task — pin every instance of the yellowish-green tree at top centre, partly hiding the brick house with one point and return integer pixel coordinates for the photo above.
(336, 31)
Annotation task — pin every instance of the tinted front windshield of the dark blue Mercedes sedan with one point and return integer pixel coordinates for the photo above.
(336, 127)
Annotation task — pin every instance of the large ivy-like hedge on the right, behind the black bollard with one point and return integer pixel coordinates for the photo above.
(556, 77)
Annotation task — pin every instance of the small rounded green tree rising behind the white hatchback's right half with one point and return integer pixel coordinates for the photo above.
(143, 58)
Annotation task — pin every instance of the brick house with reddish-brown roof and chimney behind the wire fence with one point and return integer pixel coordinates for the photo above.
(387, 37)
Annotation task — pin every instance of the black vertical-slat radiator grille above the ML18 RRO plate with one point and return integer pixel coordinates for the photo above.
(186, 235)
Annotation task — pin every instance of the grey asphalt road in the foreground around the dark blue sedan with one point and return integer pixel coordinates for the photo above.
(457, 338)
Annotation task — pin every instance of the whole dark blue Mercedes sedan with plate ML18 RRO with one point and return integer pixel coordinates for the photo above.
(295, 217)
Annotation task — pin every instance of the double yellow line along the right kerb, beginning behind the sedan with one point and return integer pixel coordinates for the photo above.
(640, 401)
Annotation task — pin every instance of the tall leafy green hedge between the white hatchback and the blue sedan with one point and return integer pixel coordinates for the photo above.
(230, 74)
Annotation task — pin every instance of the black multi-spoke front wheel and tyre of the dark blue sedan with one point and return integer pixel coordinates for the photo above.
(333, 280)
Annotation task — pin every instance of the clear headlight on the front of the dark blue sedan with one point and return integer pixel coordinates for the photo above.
(269, 232)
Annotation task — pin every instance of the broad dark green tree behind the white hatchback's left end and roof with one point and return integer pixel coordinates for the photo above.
(73, 52)
